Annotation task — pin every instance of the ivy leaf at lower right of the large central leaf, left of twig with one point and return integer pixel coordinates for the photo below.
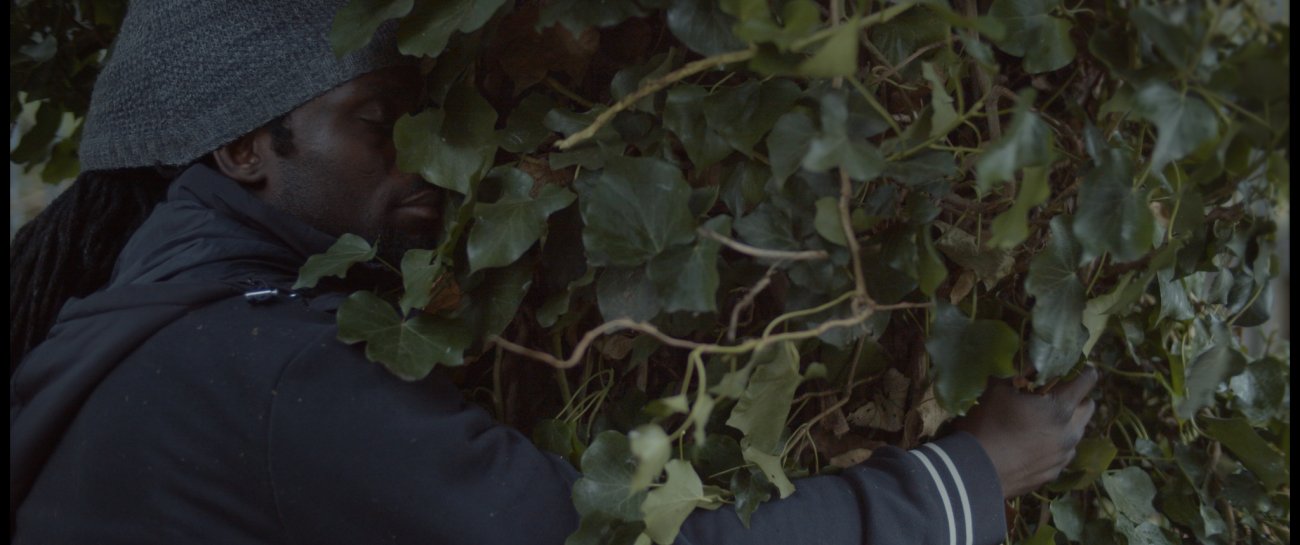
(687, 278)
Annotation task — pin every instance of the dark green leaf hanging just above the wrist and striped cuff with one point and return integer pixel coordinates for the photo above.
(965, 353)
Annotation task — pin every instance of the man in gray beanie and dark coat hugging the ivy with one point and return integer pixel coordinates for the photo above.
(172, 404)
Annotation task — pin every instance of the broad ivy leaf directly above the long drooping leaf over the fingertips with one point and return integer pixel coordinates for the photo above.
(1113, 215)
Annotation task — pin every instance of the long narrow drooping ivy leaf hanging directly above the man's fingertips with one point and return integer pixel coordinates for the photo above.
(1059, 334)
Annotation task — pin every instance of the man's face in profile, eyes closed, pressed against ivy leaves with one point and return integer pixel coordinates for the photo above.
(343, 175)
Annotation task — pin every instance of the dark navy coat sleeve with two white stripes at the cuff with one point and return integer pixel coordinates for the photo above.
(358, 456)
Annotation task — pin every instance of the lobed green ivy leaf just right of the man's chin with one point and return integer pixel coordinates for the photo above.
(506, 230)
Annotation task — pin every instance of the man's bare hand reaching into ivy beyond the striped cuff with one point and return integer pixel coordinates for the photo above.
(1030, 438)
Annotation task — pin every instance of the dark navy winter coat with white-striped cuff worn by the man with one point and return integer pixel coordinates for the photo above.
(167, 409)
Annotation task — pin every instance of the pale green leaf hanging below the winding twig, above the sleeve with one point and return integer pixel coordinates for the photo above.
(761, 413)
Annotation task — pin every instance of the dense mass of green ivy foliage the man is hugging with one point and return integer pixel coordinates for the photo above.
(762, 239)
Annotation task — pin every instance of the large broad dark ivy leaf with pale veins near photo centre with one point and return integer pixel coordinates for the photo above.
(635, 210)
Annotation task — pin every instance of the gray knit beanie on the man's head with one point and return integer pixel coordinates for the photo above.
(185, 79)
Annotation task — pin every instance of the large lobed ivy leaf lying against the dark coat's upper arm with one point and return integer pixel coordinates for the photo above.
(411, 348)
